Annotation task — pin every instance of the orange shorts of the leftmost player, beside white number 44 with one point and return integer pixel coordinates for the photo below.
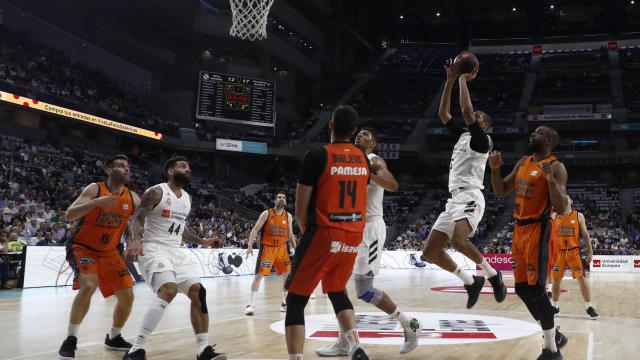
(110, 267)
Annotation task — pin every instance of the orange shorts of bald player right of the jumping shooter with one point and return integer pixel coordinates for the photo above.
(533, 252)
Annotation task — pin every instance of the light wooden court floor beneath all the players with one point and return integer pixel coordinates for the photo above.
(34, 321)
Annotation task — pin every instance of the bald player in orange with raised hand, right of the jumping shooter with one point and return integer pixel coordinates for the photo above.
(539, 181)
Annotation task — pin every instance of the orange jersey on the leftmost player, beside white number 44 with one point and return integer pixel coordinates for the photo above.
(101, 228)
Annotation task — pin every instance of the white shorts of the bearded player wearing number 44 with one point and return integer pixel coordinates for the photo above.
(170, 261)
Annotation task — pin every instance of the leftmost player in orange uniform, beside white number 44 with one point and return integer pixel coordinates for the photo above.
(103, 210)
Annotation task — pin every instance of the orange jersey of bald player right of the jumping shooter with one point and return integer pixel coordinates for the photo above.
(532, 190)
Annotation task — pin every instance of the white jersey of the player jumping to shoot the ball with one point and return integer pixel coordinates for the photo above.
(467, 166)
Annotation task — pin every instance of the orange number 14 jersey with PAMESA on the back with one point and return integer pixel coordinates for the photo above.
(341, 193)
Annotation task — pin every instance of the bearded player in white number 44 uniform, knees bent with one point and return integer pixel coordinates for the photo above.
(159, 227)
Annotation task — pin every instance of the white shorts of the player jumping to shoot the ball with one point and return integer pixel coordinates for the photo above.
(466, 204)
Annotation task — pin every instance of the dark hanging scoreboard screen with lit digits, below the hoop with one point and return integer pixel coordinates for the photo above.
(236, 99)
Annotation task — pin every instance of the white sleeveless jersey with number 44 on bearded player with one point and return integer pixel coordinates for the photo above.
(166, 222)
